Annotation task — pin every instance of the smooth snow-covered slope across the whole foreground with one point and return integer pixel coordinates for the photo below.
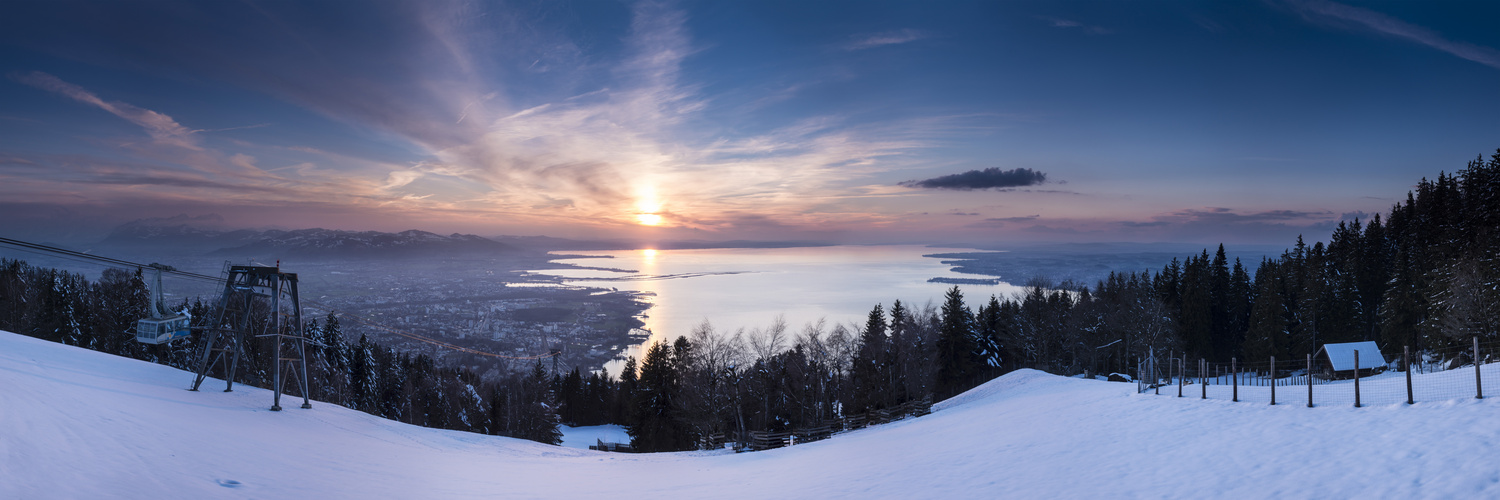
(77, 424)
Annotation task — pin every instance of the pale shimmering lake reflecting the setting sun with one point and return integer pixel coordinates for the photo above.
(749, 288)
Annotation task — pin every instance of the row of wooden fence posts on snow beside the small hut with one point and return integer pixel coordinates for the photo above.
(1436, 375)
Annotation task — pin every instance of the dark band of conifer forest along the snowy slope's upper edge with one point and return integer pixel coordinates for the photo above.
(1423, 277)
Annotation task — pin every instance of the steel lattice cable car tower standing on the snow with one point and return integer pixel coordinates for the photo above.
(250, 294)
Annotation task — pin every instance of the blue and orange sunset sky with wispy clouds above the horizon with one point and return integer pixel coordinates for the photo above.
(1244, 122)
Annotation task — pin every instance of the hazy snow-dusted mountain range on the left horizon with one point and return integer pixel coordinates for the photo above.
(317, 242)
